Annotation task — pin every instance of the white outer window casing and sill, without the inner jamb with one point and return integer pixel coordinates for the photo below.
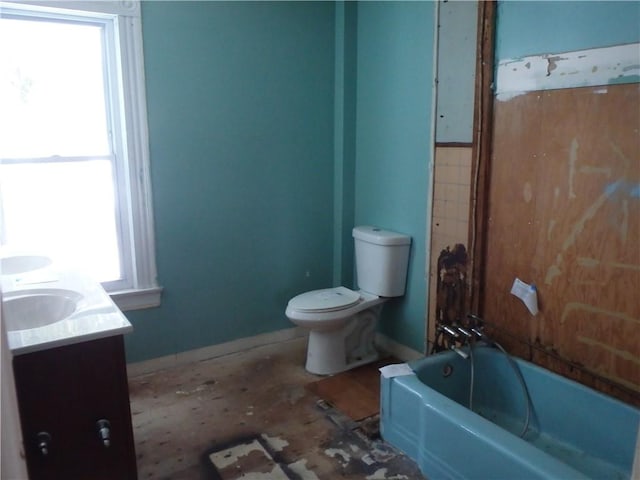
(145, 291)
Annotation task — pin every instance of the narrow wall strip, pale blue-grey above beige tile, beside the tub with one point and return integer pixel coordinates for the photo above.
(456, 63)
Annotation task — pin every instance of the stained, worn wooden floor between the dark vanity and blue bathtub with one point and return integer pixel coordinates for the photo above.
(182, 414)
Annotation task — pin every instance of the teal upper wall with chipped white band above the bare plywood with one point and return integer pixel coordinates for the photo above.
(552, 45)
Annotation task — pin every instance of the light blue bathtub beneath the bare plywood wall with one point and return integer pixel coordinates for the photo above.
(573, 432)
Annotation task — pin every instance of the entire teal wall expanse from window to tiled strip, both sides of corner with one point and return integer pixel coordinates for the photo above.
(274, 128)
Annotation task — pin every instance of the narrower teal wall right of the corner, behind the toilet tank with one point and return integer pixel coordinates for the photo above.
(394, 141)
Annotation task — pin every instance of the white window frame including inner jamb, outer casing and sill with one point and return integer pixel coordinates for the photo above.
(128, 120)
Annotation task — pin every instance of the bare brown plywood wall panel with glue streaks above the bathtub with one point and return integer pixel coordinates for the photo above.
(564, 213)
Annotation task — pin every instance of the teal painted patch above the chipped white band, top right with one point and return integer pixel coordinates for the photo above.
(532, 28)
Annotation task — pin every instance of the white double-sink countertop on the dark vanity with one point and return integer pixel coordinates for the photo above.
(94, 316)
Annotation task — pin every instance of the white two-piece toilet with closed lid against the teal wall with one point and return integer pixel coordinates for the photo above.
(342, 322)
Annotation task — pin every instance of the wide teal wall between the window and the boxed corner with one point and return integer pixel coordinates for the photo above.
(240, 107)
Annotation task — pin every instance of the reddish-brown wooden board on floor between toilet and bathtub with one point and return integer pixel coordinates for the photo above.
(356, 393)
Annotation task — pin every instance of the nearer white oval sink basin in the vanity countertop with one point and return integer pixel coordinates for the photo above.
(36, 308)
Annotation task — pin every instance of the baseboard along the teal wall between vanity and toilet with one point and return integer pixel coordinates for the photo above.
(213, 351)
